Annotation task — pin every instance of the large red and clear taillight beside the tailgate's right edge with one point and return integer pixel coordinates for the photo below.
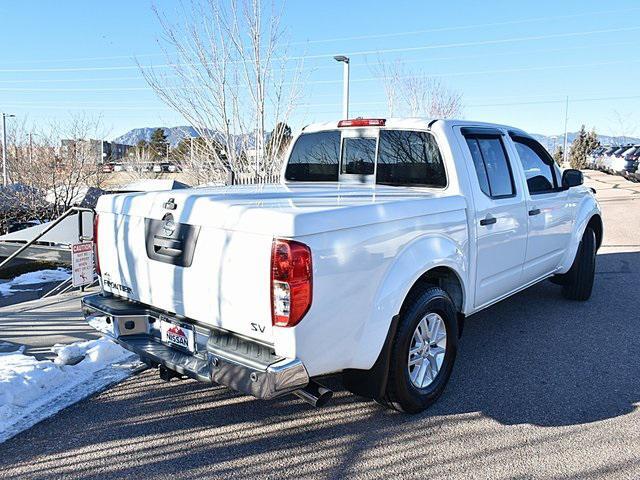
(291, 282)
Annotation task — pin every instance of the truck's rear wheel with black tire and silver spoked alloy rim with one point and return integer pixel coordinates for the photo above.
(404, 393)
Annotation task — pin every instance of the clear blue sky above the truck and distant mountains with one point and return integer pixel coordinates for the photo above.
(513, 62)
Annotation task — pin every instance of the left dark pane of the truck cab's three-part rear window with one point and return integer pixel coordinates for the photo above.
(315, 157)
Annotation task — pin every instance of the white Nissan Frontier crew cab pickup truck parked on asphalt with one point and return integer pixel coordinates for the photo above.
(364, 261)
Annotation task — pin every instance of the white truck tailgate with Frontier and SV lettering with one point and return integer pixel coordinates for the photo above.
(215, 276)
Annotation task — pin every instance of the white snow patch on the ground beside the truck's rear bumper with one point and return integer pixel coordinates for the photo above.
(32, 390)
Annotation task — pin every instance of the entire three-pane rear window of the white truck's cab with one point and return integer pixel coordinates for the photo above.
(393, 157)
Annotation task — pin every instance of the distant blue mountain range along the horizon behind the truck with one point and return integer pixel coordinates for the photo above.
(175, 134)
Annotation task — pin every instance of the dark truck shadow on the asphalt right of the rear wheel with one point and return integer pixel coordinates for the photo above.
(539, 359)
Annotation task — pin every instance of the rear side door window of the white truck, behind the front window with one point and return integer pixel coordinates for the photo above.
(492, 165)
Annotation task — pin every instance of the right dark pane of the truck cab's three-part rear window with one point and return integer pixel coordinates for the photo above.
(409, 158)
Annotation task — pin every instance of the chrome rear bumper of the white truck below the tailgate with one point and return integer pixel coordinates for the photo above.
(223, 358)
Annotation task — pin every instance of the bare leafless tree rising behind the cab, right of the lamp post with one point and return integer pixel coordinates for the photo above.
(417, 94)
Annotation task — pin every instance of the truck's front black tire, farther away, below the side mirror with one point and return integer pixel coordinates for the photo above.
(579, 279)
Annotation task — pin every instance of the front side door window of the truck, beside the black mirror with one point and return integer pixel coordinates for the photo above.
(537, 164)
